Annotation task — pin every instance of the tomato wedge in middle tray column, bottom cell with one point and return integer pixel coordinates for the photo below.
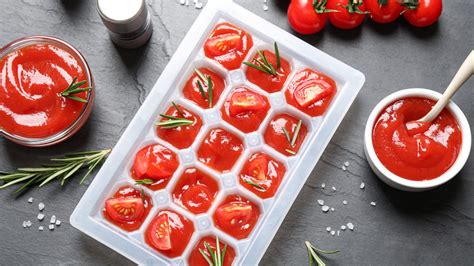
(161, 232)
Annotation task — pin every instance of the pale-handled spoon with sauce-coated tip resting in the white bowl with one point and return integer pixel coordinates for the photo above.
(464, 73)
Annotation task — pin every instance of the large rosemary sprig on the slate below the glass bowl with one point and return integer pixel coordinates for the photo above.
(61, 169)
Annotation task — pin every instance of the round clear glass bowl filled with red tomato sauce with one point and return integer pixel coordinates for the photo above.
(34, 71)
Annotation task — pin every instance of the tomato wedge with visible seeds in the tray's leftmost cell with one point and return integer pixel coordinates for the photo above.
(125, 209)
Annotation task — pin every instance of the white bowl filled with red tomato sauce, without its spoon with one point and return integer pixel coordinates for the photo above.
(416, 161)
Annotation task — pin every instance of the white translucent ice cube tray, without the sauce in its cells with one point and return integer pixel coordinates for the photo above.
(88, 217)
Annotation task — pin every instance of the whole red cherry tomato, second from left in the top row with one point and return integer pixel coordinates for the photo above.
(347, 18)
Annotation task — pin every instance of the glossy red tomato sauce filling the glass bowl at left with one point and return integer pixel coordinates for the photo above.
(31, 80)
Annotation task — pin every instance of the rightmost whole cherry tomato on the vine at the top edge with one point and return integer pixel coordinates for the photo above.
(424, 14)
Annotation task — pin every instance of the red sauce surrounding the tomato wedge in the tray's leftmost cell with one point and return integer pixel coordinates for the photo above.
(130, 192)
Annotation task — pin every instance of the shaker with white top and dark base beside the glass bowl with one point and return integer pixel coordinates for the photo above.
(128, 21)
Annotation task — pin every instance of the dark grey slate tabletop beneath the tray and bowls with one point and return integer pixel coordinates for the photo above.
(431, 228)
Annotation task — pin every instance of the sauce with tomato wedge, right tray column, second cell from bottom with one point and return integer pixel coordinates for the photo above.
(236, 216)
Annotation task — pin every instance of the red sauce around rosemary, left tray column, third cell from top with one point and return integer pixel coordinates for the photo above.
(183, 136)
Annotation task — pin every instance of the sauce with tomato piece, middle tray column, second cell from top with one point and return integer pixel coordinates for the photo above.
(245, 109)
